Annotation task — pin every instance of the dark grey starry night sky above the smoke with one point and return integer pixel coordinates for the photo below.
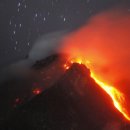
(23, 21)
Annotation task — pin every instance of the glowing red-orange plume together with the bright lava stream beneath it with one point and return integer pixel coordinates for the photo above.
(103, 45)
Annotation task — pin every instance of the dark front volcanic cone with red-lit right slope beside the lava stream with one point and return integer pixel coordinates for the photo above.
(74, 102)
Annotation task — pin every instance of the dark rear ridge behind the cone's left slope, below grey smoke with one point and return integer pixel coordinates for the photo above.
(19, 88)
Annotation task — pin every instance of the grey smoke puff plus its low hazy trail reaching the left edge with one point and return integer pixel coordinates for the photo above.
(43, 47)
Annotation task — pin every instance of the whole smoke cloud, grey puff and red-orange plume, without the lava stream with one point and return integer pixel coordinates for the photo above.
(104, 41)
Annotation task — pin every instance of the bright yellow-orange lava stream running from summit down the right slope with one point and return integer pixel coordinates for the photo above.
(117, 97)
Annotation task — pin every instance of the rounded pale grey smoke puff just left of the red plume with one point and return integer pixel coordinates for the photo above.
(46, 45)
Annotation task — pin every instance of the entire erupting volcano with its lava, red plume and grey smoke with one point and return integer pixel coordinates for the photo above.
(80, 81)
